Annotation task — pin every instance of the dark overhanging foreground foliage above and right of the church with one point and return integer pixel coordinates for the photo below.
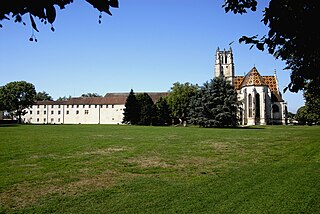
(292, 37)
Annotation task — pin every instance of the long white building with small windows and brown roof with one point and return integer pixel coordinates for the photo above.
(95, 110)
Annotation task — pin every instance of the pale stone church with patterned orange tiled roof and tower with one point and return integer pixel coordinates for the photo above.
(260, 98)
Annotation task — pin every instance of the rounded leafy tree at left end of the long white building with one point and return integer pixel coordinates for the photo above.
(16, 97)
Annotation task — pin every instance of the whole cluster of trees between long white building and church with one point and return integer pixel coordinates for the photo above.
(214, 104)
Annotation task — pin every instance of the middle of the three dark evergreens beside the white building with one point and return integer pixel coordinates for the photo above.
(146, 109)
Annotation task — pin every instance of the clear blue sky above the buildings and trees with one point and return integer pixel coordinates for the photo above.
(146, 45)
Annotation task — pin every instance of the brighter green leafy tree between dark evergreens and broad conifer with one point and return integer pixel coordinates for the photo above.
(179, 99)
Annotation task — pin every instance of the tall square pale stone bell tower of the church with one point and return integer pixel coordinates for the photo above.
(224, 65)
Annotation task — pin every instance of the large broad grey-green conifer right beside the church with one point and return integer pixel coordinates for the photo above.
(215, 104)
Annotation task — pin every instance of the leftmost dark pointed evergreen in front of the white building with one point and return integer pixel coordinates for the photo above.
(132, 110)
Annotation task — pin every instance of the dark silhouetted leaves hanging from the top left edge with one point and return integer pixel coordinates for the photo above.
(45, 10)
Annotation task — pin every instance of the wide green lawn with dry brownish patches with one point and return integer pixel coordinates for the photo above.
(132, 169)
